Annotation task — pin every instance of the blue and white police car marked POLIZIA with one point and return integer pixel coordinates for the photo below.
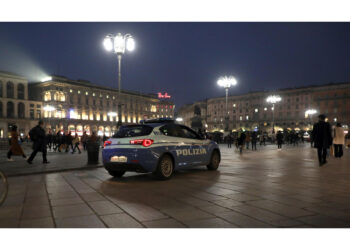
(158, 146)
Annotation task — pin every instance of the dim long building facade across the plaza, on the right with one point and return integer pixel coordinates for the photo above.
(251, 111)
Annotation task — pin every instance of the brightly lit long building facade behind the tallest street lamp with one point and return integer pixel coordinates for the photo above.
(78, 105)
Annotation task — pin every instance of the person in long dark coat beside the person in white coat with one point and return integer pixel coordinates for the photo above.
(322, 138)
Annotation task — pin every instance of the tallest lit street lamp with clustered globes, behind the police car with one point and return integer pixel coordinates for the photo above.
(117, 45)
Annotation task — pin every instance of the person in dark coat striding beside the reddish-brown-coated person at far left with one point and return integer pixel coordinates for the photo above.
(39, 143)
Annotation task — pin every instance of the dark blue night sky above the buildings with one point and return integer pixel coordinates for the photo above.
(183, 59)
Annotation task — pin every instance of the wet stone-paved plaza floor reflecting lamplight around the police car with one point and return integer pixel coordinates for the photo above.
(262, 189)
